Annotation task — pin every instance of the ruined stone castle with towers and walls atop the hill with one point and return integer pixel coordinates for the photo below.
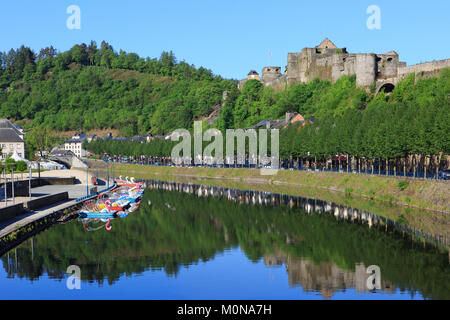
(328, 62)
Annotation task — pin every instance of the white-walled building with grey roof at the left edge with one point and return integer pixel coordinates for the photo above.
(11, 139)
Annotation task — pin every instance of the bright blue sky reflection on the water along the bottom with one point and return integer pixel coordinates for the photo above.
(210, 280)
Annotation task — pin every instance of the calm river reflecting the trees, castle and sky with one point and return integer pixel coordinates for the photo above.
(186, 245)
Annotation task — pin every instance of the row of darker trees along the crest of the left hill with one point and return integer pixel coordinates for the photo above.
(23, 62)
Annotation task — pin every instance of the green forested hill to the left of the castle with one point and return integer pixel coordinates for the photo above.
(88, 87)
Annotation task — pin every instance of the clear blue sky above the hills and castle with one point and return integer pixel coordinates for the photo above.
(231, 37)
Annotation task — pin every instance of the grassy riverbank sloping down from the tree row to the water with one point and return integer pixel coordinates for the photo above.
(429, 195)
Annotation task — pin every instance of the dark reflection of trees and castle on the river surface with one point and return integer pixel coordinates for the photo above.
(323, 248)
